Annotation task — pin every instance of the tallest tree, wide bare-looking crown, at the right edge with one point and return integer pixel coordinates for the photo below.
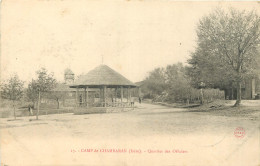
(231, 38)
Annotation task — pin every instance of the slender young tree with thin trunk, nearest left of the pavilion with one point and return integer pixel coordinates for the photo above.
(45, 82)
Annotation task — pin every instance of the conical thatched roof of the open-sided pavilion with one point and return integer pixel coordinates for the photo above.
(102, 76)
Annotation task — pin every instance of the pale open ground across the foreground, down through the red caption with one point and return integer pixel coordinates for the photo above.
(147, 135)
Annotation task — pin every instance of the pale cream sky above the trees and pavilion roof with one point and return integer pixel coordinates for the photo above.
(133, 36)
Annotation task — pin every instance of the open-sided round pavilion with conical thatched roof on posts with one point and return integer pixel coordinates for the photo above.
(109, 82)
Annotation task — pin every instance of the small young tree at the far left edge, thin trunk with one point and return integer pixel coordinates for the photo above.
(13, 90)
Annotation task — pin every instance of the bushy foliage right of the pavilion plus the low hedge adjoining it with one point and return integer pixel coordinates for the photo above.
(171, 84)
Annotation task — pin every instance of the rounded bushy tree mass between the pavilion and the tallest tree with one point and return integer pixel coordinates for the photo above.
(168, 84)
